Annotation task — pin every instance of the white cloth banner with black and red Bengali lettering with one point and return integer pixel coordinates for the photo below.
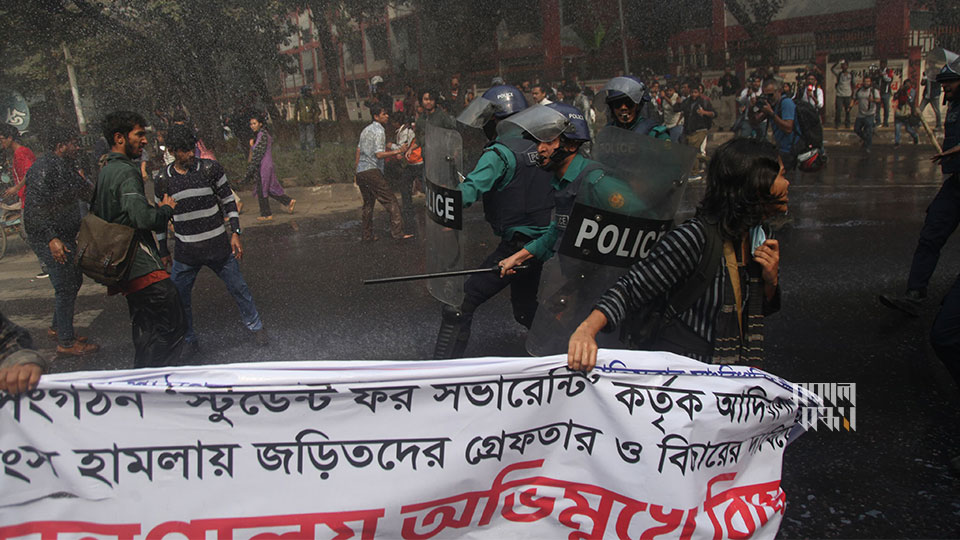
(648, 444)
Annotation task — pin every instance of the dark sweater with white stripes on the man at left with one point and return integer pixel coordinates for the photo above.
(203, 200)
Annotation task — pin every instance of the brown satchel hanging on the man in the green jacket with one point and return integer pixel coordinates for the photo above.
(105, 251)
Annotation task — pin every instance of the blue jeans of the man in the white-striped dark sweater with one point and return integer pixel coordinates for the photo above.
(184, 276)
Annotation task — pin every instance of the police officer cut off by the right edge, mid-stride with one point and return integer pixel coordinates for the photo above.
(943, 216)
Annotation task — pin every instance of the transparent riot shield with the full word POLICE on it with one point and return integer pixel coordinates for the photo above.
(616, 220)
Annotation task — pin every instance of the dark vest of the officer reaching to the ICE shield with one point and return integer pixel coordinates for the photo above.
(526, 200)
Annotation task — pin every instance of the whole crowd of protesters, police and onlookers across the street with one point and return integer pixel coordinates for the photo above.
(534, 166)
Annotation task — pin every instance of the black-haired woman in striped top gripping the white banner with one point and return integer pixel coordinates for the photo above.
(745, 185)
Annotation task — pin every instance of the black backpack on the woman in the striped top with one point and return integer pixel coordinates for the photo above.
(657, 327)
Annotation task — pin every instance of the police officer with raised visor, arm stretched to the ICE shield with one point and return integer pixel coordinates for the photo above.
(517, 202)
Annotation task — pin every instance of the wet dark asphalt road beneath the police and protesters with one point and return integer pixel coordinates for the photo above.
(853, 230)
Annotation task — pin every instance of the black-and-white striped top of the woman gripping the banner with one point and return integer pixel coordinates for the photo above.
(667, 268)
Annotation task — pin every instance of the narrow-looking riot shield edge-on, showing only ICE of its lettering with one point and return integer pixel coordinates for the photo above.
(443, 161)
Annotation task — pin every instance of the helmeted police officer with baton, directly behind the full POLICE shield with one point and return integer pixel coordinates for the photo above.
(561, 133)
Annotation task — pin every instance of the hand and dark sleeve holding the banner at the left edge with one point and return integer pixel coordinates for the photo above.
(20, 366)
